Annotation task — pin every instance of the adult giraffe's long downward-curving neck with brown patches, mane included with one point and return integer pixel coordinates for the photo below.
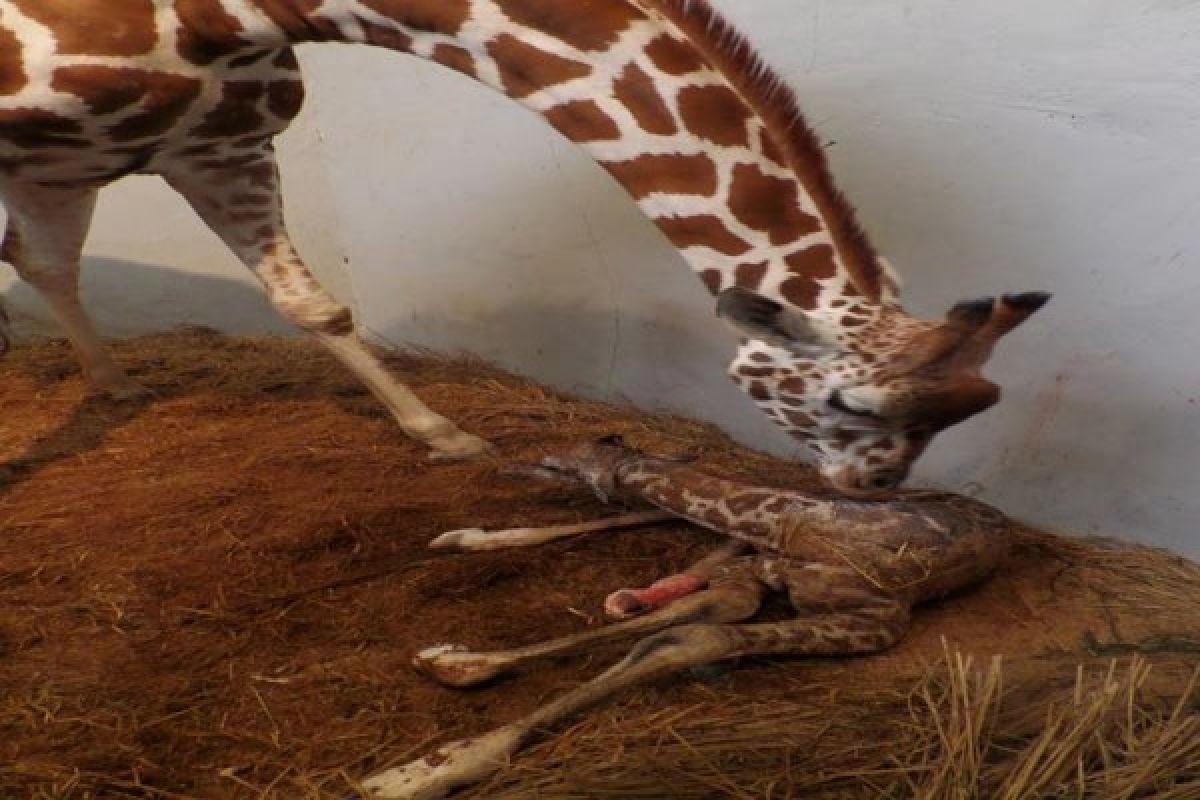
(661, 93)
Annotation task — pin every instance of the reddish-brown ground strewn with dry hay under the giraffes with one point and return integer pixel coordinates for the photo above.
(217, 594)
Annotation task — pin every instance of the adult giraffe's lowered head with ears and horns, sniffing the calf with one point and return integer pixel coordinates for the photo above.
(867, 405)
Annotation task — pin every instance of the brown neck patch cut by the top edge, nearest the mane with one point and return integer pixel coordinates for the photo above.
(586, 25)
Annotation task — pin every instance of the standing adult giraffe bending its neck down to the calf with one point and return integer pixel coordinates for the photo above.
(662, 93)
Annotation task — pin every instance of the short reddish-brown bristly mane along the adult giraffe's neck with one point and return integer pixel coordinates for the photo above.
(776, 103)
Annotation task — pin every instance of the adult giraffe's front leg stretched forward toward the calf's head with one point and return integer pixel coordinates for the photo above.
(243, 206)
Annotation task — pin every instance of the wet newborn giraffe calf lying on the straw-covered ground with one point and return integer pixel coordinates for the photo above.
(853, 569)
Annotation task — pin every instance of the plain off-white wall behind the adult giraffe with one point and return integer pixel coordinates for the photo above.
(991, 148)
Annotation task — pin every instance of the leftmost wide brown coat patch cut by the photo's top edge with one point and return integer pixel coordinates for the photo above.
(97, 27)
